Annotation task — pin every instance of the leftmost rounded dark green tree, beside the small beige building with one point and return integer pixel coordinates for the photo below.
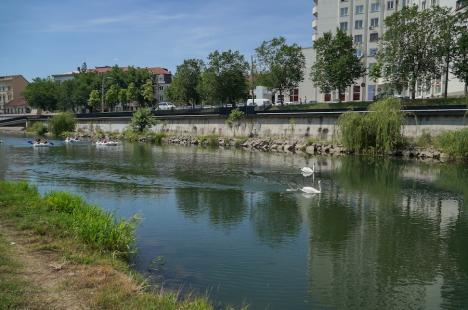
(42, 94)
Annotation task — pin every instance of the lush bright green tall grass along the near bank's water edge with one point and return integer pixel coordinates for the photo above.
(65, 215)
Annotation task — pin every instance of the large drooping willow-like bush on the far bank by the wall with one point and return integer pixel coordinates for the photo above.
(378, 131)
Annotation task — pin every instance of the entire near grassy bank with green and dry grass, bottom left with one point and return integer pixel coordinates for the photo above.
(93, 246)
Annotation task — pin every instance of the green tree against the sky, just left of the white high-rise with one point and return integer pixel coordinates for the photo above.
(281, 65)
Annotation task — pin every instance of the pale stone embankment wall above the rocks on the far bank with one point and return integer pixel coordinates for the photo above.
(321, 127)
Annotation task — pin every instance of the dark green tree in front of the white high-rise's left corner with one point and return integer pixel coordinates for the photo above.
(337, 65)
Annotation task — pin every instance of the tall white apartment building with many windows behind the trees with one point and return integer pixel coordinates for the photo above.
(364, 21)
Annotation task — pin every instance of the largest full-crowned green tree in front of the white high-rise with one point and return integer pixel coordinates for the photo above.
(410, 50)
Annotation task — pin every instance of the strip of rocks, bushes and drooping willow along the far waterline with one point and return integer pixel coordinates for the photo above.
(378, 132)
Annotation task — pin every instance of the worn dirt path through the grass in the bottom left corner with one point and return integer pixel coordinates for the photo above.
(44, 272)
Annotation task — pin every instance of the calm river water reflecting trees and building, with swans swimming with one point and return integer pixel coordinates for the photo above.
(384, 234)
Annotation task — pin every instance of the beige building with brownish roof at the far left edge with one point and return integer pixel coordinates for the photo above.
(11, 98)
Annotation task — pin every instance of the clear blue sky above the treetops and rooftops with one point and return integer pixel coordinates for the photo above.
(43, 37)
